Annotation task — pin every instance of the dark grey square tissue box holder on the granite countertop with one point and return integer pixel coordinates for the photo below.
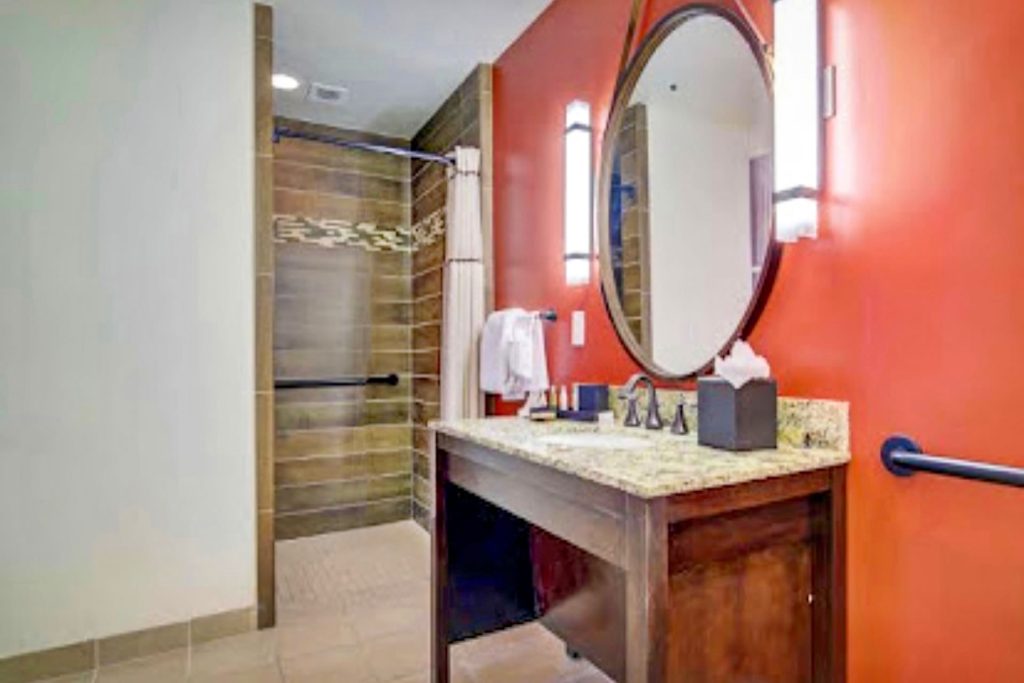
(744, 419)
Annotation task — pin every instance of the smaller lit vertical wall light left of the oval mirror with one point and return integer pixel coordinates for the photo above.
(578, 249)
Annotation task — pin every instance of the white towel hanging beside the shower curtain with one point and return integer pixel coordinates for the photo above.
(513, 356)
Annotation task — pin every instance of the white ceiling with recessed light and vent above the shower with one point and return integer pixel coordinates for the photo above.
(399, 60)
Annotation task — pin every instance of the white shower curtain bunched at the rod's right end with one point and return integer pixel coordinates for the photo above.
(462, 318)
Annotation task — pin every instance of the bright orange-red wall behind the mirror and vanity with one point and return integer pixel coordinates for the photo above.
(909, 306)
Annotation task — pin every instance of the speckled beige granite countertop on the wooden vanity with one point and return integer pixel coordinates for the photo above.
(668, 464)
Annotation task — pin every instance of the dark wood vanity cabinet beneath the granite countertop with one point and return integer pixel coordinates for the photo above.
(739, 584)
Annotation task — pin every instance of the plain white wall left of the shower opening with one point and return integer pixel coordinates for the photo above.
(126, 300)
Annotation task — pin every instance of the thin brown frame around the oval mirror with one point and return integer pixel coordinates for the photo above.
(624, 92)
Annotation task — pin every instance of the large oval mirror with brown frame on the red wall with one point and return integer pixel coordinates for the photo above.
(686, 193)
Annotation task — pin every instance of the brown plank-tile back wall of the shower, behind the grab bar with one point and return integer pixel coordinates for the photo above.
(344, 456)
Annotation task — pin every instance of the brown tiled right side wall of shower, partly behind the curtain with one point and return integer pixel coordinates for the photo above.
(464, 119)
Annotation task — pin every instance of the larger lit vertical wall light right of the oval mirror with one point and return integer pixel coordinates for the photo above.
(798, 119)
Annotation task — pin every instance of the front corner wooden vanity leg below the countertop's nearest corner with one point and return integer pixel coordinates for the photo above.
(647, 590)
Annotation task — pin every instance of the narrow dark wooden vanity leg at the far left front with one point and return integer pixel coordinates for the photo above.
(440, 575)
